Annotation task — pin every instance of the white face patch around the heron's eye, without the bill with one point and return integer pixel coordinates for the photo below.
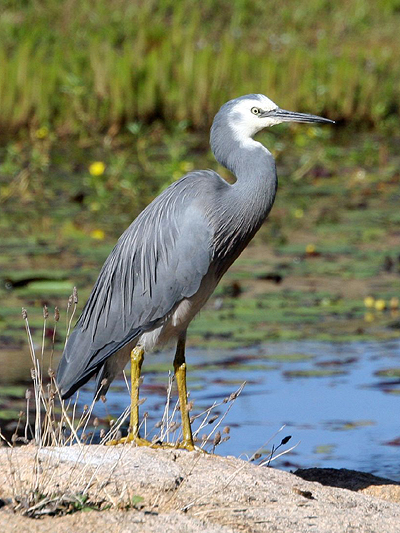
(244, 123)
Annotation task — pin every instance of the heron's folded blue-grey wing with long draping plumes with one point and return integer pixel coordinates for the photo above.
(159, 260)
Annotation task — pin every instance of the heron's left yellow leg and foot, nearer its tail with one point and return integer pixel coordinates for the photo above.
(137, 356)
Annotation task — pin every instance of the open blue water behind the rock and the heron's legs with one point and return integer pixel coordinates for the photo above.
(330, 396)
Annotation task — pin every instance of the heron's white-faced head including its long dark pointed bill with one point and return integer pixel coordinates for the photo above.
(247, 115)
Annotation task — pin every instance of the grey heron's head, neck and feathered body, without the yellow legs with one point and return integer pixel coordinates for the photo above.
(168, 262)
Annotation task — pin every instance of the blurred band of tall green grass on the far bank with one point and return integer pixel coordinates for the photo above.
(78, 66)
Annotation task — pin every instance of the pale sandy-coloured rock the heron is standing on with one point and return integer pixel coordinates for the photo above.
(146, 490)
